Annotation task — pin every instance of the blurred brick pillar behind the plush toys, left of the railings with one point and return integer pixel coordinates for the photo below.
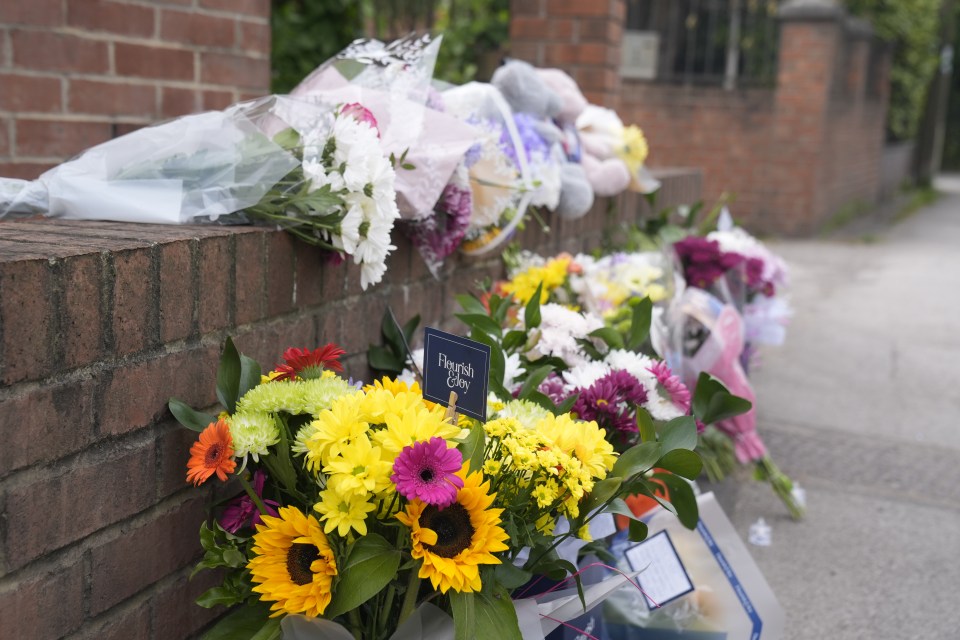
(582, 37)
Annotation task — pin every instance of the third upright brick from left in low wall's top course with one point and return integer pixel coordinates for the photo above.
(134, 304)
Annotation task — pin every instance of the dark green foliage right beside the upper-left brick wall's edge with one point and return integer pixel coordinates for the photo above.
(306, 33)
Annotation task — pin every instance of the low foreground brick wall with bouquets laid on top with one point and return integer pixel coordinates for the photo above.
(101, 324)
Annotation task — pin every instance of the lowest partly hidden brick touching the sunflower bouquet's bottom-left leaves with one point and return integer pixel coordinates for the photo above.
(182, 617)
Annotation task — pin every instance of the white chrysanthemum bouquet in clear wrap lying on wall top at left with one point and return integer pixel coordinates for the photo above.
(314, 169)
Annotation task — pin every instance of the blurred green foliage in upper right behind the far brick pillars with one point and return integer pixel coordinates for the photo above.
(912, 27)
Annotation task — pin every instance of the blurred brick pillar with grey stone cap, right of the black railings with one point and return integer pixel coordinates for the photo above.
(810, 38)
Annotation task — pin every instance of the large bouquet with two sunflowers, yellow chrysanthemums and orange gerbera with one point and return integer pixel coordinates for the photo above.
(368, 510)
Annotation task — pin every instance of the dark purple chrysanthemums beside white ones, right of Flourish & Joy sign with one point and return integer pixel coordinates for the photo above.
(611, 402)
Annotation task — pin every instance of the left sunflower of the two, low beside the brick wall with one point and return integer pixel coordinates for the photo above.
(293, 564)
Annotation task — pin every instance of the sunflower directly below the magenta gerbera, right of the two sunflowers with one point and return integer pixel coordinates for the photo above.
(453, 541)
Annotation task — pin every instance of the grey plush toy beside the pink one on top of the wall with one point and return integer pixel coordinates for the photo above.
(536, 105)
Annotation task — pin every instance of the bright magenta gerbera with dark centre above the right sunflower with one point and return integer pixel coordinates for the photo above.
(426, 471)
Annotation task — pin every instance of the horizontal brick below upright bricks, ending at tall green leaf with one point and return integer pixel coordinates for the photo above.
(188, 375)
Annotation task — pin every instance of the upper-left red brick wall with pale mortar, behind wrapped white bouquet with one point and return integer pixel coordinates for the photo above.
(74, 73)
